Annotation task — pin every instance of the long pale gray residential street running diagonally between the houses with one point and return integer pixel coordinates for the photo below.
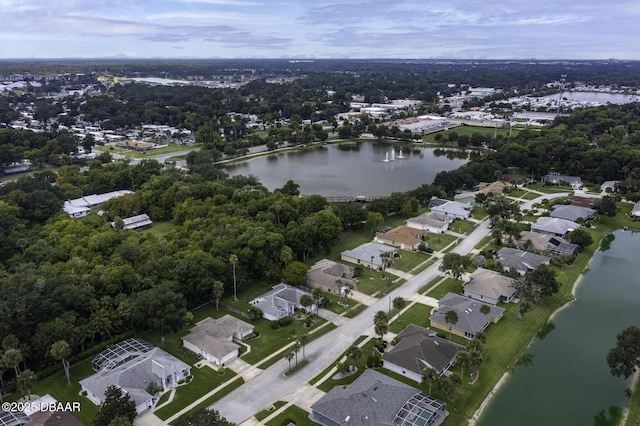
(272, 385)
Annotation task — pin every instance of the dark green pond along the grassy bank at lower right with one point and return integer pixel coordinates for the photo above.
(569, 382)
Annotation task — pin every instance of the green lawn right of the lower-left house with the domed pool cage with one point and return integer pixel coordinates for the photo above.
(205, 379)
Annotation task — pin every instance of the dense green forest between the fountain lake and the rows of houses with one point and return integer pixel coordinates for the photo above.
(83, 281)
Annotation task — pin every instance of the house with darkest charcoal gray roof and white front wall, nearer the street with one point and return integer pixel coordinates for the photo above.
(420, 348)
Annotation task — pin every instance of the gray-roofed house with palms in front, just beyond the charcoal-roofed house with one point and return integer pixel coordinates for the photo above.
(470, 319)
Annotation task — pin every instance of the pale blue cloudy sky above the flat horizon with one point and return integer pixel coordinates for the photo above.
(459, 29)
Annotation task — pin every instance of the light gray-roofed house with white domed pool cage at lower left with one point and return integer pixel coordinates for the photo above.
(134, 368)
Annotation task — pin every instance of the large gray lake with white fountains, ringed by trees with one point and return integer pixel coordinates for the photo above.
(374, 168)
